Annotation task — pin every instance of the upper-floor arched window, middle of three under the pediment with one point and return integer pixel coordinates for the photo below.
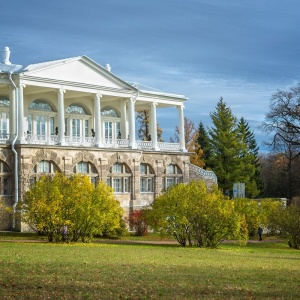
(77, 122)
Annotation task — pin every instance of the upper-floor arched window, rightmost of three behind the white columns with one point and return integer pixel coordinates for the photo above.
(111, 124)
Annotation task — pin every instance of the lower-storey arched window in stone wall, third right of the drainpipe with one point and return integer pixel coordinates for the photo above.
(119, 178)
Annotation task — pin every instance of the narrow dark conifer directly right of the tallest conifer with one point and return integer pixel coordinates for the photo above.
(249, 157)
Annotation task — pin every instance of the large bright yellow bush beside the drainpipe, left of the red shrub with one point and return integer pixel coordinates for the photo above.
(56, 204)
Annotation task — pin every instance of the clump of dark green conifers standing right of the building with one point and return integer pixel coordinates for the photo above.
(232, 152)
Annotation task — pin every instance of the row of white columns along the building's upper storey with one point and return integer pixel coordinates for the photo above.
(17, 101)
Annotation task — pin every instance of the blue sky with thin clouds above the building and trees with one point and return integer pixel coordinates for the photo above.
(240, 50)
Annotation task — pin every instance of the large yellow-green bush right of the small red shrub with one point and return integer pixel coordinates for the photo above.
(195, 215)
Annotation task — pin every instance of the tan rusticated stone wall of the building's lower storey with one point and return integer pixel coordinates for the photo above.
(65, 158)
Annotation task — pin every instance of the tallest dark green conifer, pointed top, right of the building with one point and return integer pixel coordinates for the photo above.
(225, 152)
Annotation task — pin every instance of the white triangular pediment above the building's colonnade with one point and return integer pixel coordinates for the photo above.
(78, 70)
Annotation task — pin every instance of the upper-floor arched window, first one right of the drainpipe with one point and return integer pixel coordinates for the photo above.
(40, 118)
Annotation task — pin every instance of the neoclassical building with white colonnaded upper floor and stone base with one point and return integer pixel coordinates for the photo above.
(75, 116)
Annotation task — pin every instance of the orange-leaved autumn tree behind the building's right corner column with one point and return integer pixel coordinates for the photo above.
(191, 142)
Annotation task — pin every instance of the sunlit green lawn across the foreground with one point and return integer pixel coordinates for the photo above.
(141, 271)
